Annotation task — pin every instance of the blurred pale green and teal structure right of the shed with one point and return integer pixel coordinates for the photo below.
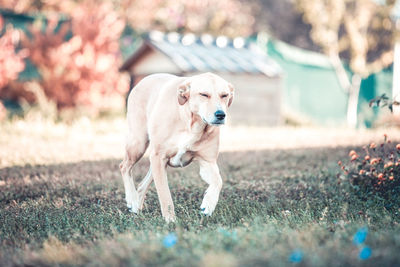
(312, 92)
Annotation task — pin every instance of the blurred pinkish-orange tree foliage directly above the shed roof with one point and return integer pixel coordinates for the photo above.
(228, 17)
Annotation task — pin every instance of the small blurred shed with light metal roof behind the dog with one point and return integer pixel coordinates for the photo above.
(255, 76)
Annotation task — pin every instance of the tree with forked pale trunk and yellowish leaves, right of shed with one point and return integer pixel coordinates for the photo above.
(358, 30)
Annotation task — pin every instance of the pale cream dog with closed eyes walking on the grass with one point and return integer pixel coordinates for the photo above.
(177, 119)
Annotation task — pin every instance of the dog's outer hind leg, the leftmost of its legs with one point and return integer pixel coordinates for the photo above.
(135, 148)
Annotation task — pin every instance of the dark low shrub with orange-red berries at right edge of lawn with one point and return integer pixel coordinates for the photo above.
(376, 169)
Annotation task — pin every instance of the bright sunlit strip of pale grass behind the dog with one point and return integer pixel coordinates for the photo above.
(46, 142)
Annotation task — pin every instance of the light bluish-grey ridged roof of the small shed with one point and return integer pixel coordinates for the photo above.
(191, 53)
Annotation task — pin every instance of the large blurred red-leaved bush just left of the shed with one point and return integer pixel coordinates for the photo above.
(82, 71)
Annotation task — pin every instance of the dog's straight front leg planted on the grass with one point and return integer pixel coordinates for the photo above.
(158, 168)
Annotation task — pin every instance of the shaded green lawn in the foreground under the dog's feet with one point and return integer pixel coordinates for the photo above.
(273, 202)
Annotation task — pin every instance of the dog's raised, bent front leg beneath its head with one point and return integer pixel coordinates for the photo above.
(209, 172)
